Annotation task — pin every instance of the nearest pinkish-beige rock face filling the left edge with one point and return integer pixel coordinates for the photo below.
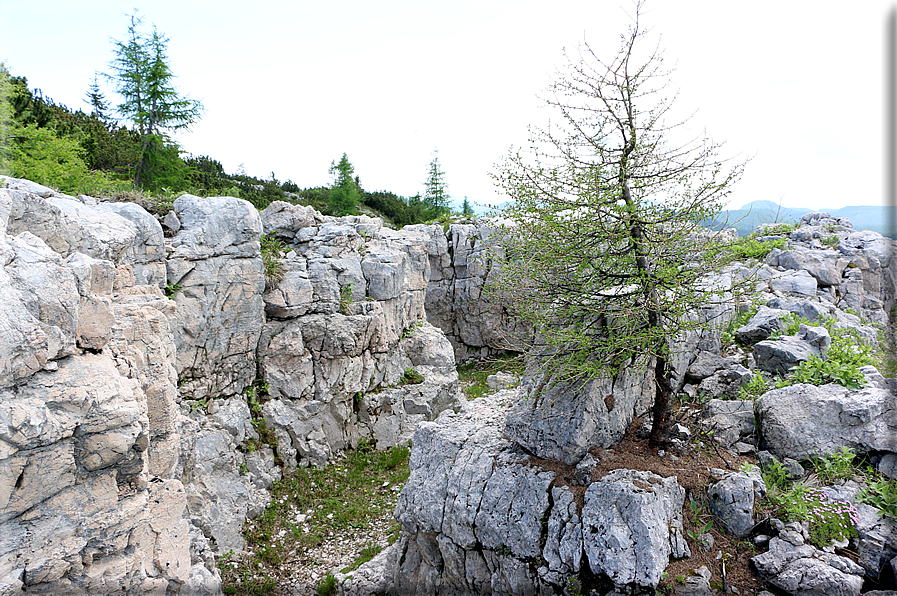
(88, 442)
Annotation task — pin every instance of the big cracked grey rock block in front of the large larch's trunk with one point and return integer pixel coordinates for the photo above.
(478, 519)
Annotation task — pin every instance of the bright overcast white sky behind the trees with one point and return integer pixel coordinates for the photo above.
(289, 86)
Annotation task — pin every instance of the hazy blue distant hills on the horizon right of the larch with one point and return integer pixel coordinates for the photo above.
(746, 219)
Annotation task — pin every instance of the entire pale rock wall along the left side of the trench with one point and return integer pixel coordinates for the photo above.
(122, 424)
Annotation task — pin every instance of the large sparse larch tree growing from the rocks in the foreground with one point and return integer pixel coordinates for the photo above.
(606, 256)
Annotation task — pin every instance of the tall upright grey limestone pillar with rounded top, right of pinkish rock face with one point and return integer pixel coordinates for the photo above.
(217, 264)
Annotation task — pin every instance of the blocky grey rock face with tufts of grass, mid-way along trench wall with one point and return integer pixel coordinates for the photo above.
(348, 318)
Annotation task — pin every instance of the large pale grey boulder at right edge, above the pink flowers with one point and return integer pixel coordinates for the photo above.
(802, 420)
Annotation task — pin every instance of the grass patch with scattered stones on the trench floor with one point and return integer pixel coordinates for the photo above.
(312, 505)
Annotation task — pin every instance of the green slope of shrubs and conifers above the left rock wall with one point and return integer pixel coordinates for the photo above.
(114, 150)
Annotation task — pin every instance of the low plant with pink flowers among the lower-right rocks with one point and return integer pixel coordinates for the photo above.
(830, 520)
